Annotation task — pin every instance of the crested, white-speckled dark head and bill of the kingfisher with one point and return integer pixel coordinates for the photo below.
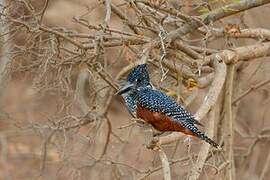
(138, 77)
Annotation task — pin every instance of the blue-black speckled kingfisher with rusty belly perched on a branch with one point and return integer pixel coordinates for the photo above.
(157, 108)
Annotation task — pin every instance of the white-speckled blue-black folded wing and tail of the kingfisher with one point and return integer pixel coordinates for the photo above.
(157, 101)
